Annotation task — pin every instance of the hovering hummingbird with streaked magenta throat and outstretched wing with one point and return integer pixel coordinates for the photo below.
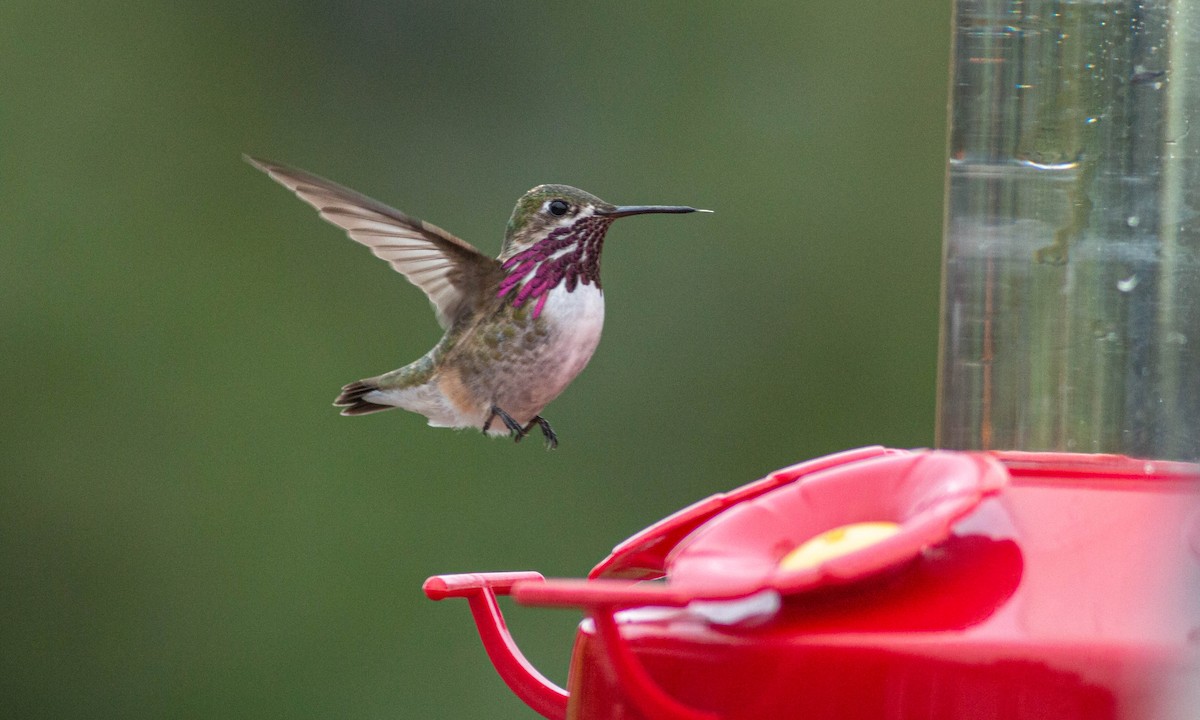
(519, 328)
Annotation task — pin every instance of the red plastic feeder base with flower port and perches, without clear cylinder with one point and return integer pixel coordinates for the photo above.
(981, 586)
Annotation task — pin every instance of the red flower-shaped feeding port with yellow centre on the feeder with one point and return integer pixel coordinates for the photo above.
(919, 495)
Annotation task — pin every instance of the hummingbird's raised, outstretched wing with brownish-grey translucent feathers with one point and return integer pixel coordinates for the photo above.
(452, 272)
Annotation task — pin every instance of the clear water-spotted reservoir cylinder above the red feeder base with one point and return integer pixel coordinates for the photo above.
(1071, 302)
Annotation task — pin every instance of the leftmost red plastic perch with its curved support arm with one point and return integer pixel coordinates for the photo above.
(481, 591)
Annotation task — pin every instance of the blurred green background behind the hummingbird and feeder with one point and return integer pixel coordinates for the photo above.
(189, 530)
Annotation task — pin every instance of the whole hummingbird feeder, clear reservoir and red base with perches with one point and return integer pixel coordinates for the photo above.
(1045, 562)
